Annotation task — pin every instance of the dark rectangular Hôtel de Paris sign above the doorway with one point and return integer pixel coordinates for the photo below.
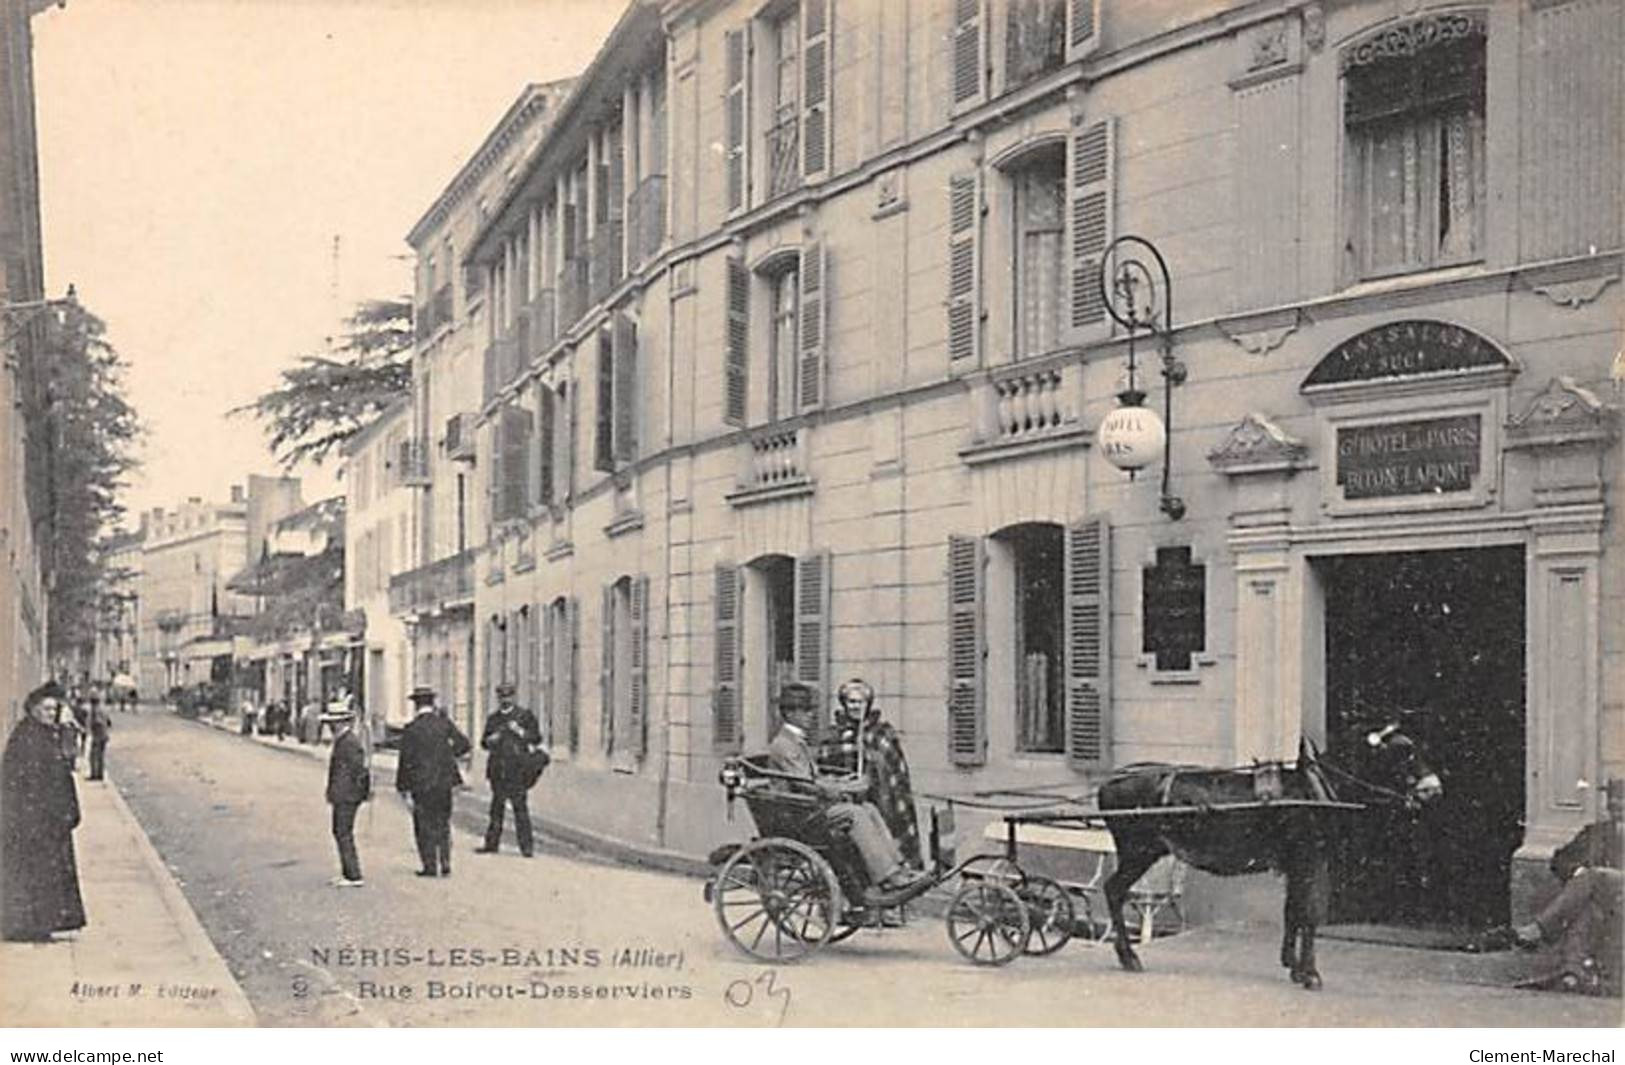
(1408, 458)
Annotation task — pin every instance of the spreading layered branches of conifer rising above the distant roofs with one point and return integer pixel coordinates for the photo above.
(327, 399)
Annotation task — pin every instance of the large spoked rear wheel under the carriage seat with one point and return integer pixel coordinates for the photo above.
(776, 900)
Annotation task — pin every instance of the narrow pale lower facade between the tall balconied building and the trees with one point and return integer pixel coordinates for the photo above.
(381, 539)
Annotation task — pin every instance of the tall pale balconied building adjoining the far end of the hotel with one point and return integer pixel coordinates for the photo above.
(433, 593)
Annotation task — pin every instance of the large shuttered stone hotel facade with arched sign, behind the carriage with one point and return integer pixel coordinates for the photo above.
(797, 347)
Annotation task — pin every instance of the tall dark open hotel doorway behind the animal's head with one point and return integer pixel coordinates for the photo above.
(1434, 641)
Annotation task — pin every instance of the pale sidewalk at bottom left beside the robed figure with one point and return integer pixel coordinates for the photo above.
(142, 962)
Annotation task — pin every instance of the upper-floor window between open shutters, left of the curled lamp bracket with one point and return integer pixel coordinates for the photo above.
(1039, 202)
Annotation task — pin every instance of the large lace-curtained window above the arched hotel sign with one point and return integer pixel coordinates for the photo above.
(1415, 147)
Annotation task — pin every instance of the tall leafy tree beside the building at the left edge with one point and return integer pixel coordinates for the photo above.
(90, 433)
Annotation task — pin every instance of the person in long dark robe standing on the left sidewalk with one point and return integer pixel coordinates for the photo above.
(41, 809)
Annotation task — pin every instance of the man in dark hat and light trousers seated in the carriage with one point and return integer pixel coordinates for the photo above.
(846, 814)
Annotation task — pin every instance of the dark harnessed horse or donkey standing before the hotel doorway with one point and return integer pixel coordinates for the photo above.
(1224, 824)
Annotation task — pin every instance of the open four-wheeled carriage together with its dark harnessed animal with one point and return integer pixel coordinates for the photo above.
(799, 887)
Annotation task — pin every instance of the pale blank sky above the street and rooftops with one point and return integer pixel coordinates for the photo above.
(201, 159)
